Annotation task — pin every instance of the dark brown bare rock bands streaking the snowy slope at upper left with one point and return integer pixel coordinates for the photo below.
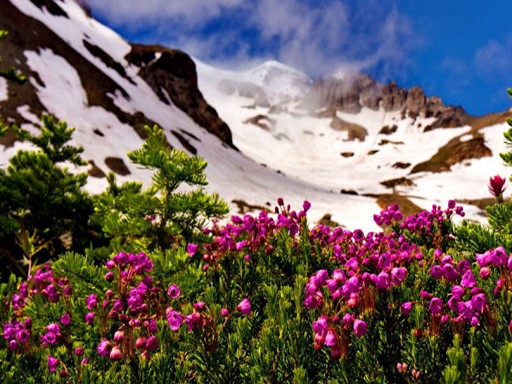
(29, 34)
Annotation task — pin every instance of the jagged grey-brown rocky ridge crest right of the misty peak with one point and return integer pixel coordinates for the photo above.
(353, 92)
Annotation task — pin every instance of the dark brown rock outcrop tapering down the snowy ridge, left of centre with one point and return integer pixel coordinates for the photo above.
(172, 75)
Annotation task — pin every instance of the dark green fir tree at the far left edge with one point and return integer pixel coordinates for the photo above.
(42, 204)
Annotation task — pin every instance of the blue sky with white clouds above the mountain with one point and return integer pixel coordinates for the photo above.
(459, 50)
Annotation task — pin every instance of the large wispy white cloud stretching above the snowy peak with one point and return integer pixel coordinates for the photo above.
(317, 37)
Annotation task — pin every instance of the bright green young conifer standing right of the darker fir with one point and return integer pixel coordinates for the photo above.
(173, 209)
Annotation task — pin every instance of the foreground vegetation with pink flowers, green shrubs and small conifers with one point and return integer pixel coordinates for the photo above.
(143, 285)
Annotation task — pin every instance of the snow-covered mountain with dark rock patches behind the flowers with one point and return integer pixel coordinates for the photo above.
(346, 143)
